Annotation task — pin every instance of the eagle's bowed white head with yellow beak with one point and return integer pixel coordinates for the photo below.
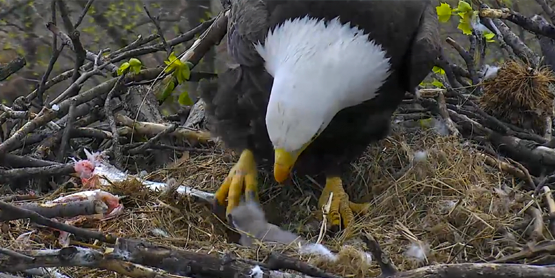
(319, 68)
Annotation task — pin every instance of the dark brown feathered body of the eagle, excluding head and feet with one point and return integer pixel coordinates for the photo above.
(236, 105)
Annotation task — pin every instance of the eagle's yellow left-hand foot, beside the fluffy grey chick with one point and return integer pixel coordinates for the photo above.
(242, 179)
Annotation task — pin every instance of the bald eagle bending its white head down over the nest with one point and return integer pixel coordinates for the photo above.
(316, 82)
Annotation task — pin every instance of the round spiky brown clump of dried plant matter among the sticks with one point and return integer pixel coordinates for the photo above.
(520, 95)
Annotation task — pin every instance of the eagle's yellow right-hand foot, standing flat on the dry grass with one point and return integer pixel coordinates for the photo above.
(341, 211)
